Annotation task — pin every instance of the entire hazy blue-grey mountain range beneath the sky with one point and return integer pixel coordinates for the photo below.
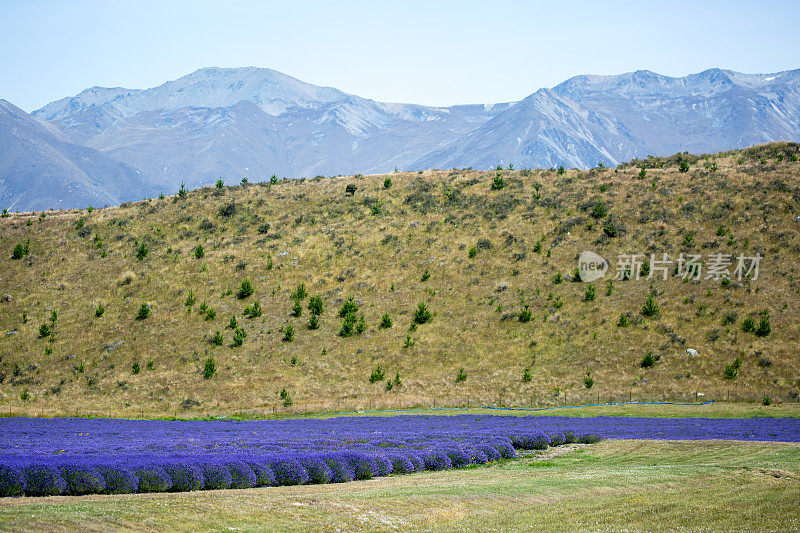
(108, 145)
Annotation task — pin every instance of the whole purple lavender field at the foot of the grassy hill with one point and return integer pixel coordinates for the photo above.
(89, 456)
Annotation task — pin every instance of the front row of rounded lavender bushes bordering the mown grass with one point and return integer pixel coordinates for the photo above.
(81, 474)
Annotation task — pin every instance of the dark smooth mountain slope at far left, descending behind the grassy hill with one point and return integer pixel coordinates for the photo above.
(41, 169)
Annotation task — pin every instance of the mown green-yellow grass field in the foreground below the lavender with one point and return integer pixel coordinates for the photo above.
(610, 486)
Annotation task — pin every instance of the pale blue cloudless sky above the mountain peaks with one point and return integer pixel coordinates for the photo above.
(427, 52)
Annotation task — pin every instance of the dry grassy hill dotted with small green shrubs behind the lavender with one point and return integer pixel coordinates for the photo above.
(478, 249)
